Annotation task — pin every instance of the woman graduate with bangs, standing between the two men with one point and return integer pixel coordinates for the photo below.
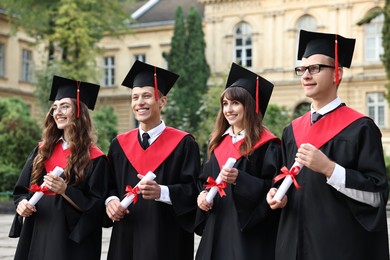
(240, 225)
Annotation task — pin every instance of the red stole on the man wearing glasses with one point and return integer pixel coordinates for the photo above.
(325, 129)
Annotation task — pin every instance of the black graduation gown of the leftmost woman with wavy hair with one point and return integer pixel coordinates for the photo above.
(57, 230)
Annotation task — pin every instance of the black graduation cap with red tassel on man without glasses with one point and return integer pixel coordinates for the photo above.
(142, 74)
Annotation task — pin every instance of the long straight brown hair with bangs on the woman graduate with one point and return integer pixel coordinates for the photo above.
(252, 122)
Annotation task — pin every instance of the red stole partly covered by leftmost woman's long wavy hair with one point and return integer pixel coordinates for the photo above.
(60, 156)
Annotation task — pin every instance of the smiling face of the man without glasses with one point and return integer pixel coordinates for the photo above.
(145, 107)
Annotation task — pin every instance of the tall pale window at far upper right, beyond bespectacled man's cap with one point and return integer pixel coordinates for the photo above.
(373, 39)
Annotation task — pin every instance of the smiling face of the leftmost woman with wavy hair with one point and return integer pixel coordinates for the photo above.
(63, 112)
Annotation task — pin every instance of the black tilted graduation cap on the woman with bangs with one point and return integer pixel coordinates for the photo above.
(259, 88)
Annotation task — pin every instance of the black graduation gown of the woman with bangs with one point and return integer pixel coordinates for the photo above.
(241, 224)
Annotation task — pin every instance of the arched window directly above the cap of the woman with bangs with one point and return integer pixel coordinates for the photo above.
(243, 45)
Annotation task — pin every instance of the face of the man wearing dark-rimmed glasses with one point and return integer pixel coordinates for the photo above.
(320, 87)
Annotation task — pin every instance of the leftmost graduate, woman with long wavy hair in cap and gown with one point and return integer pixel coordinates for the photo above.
(66, 223)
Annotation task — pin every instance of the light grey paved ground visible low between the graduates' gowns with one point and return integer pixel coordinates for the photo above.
(7, 245)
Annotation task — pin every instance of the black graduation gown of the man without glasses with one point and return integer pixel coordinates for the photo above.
(156, 230)
